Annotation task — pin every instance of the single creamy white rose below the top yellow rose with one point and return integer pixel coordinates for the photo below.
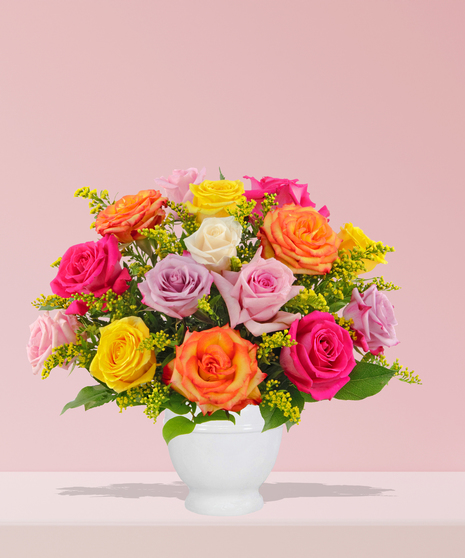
(214, 243)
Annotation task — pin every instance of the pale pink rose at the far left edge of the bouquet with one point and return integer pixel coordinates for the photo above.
(48, 332)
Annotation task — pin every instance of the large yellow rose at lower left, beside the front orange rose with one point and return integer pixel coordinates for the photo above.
(118, 363)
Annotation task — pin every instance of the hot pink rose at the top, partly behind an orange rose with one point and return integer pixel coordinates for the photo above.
(288, 191)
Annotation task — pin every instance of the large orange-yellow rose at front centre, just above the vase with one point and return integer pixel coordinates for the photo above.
(217, 369)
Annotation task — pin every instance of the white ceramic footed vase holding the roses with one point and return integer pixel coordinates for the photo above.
(224, 464)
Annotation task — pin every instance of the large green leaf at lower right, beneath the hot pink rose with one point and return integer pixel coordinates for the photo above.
(366, 379)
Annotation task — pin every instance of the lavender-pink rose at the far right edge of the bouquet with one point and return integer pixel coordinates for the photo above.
(374, 320)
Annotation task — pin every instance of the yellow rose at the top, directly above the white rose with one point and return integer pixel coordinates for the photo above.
(212, 197)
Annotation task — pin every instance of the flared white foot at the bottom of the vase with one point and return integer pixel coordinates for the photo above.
(224, 503)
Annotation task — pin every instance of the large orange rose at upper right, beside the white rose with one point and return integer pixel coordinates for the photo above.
(300, 238)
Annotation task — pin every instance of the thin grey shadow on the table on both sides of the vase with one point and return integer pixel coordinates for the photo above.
(270, 491)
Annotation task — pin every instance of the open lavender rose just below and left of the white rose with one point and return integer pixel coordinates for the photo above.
(175, 285)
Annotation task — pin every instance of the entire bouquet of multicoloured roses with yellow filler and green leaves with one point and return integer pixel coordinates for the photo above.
(211, 298)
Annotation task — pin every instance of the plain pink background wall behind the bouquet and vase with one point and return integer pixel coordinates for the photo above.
(364, 100)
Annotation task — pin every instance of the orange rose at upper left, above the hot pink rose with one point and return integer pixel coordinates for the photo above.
(125, 216)
